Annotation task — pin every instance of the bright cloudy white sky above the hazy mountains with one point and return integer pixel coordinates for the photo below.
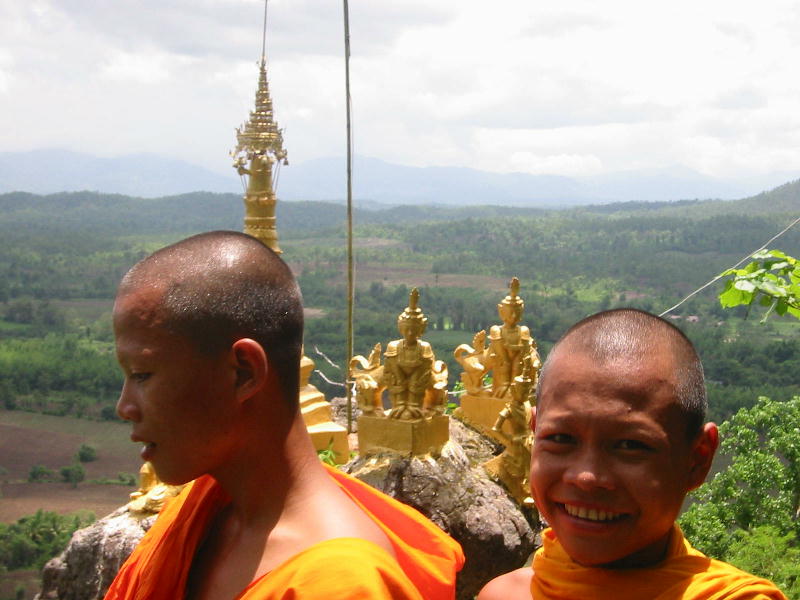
(570, 88)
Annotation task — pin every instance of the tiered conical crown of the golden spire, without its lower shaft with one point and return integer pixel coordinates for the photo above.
(260, 135)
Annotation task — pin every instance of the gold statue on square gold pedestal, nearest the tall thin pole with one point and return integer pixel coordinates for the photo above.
(416, 383)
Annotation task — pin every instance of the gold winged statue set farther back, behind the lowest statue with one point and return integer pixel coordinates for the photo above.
(510, 351)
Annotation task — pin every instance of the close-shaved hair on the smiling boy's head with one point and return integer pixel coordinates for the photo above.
(635, 334)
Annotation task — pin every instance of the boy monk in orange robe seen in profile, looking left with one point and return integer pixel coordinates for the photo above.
(208, 334)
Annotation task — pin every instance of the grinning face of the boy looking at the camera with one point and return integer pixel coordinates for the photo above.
(611, 462)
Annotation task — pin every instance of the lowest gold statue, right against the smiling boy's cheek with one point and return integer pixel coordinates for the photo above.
(512, 467)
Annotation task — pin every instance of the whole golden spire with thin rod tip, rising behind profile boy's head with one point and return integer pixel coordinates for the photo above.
(258, 155)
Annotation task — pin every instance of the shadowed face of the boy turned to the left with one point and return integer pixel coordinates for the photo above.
(177, 400)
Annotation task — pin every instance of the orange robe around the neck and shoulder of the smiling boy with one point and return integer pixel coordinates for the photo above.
(684, 574)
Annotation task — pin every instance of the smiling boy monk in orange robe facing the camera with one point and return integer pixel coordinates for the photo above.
(619, 439)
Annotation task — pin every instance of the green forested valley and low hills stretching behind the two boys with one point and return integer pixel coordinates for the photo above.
(62, 256)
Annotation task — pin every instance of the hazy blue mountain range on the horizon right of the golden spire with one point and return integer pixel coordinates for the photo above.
(377, 181)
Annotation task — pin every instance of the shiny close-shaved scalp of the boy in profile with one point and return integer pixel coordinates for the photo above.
(221, 286)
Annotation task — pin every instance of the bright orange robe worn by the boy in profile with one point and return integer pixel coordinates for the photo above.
(425, 567)
